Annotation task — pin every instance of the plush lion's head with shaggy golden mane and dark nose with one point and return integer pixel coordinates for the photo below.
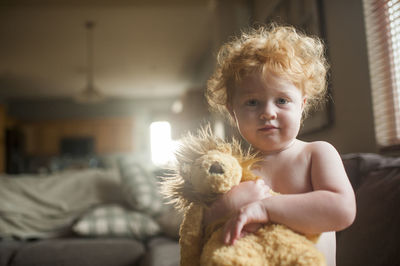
(207, 166)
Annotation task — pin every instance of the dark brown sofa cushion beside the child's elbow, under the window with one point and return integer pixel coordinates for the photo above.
(373, 238)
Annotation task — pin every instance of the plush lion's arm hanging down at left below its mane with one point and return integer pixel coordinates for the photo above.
(191, 235)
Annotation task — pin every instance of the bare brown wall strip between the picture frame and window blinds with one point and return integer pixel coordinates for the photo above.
(352, 130)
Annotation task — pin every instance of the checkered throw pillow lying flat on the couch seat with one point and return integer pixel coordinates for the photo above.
(116, 221)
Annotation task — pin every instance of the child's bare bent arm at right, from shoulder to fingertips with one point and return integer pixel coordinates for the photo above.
(329, 207)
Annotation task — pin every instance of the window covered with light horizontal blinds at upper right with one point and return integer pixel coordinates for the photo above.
(382, 20)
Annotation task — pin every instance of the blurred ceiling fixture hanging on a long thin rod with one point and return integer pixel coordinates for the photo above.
(90, 94)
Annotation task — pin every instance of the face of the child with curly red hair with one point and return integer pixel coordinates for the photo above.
(267, 112)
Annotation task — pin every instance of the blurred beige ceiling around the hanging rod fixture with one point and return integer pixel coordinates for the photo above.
(140, 48)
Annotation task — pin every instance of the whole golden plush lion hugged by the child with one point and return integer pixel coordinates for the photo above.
(207, 167)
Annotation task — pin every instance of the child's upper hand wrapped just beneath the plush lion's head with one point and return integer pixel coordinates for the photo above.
(237, 197)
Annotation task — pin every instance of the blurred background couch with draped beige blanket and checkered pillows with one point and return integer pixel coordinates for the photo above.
(92, 216)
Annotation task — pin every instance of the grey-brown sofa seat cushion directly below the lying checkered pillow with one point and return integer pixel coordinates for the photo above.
(79, 252)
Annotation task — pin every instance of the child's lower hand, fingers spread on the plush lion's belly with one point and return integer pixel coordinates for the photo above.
(247, 220)
